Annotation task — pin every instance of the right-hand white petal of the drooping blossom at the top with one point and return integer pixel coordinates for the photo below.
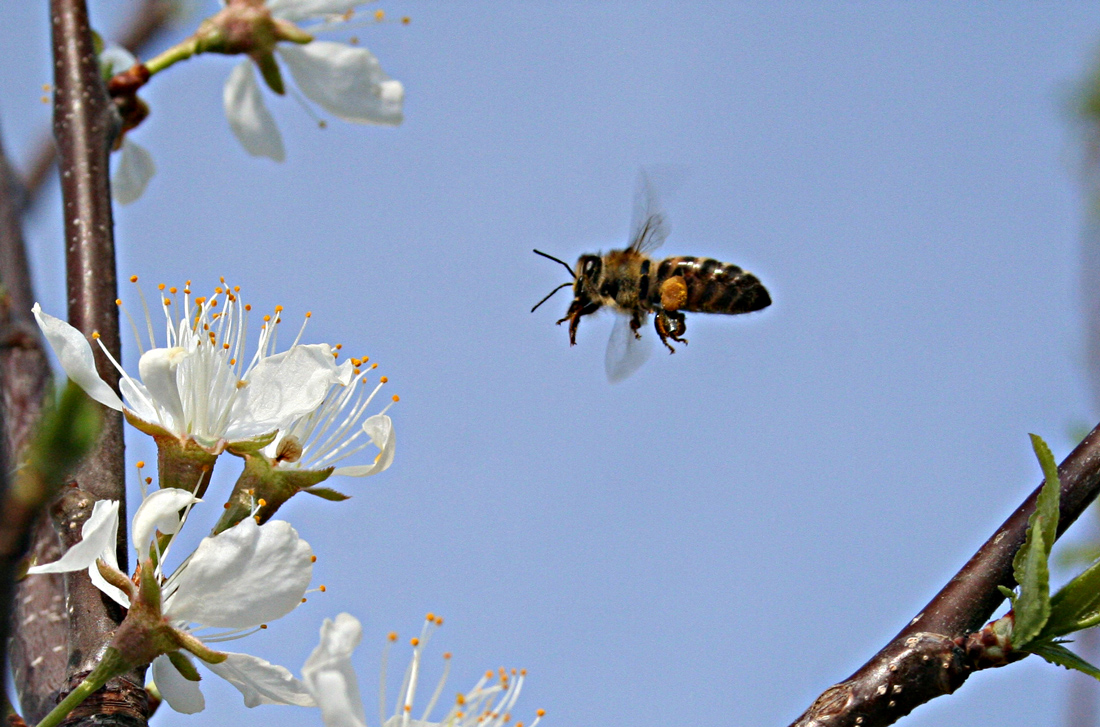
(348, 82)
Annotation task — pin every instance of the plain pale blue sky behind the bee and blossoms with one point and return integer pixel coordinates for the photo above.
(736, 527)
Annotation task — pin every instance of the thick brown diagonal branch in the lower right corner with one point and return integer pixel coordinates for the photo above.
(925, 662)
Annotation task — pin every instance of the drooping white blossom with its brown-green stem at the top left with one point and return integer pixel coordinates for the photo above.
(345, 80)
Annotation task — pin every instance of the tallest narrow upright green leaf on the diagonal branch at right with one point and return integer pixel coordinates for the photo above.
(1032, 607)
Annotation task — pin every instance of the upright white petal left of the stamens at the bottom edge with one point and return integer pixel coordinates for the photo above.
(329, 676)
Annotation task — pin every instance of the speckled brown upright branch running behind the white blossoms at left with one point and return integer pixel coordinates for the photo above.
(85, 127)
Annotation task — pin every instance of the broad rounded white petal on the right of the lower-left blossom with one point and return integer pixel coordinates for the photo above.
(245, 577)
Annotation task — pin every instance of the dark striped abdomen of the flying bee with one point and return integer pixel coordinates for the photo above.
(712, 287)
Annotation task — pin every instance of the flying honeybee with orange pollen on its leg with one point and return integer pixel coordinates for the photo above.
(635, 285)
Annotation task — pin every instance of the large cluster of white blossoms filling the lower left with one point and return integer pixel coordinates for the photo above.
(295, 416)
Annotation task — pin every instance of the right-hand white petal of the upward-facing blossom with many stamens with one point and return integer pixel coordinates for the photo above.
(283, 388)
